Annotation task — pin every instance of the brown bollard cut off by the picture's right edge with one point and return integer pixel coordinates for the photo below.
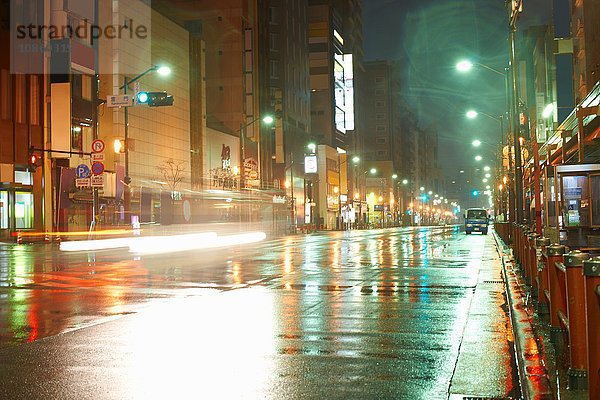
(591, 272)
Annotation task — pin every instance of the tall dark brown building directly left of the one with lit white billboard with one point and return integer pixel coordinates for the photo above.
(284, 84)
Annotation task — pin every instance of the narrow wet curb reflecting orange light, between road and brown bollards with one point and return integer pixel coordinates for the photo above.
(533, 374)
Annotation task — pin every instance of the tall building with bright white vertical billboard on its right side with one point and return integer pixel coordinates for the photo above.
(335, 39)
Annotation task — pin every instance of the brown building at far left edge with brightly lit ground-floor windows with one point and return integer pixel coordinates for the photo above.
(22, 118)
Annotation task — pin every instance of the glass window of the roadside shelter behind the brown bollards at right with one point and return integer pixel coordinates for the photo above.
(576, 208)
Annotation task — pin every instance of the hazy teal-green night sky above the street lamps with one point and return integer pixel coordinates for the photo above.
(431, 36)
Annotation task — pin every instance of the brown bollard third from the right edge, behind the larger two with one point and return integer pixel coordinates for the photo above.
(555, 293)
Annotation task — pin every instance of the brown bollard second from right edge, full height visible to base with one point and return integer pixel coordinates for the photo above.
(575, 283)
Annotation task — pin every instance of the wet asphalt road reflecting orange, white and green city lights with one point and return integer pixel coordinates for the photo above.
(397, 313)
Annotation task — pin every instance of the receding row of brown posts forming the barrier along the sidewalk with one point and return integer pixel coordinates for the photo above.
(568, 285)
